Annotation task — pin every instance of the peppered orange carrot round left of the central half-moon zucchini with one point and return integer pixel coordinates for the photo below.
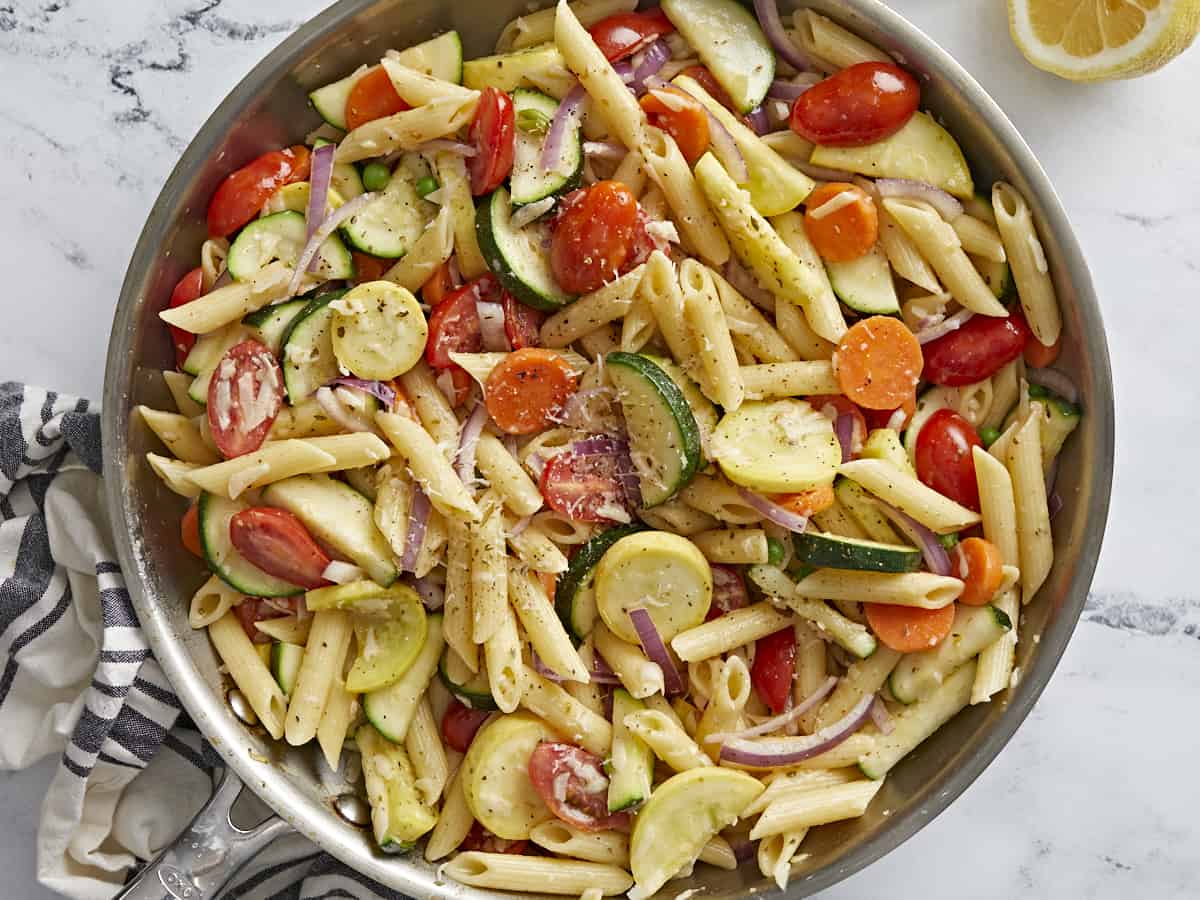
(527, 388)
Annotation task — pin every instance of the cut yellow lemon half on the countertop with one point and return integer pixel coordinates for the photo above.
(1097, 40)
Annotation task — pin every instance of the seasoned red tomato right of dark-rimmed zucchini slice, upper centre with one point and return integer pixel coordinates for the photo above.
(593, 236)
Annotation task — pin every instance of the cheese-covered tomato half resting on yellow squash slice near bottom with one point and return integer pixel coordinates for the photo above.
(585, 802)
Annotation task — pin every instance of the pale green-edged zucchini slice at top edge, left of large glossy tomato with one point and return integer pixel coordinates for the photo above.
(730, 43)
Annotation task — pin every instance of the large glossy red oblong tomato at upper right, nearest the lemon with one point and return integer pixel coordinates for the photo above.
(860, 105)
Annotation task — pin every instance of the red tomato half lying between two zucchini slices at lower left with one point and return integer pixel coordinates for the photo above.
(279, 544)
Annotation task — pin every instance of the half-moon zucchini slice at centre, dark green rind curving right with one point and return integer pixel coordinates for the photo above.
(663, 434)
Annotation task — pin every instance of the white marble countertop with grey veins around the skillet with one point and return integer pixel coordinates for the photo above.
(101, 99)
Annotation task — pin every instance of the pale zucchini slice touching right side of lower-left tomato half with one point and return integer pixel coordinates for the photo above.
(340, 517)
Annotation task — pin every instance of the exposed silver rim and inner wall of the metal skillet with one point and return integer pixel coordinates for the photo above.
(269, 109)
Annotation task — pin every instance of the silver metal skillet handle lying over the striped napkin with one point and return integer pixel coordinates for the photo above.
(208, 854)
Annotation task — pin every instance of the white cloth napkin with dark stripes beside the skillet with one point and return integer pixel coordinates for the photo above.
(80, 681)
